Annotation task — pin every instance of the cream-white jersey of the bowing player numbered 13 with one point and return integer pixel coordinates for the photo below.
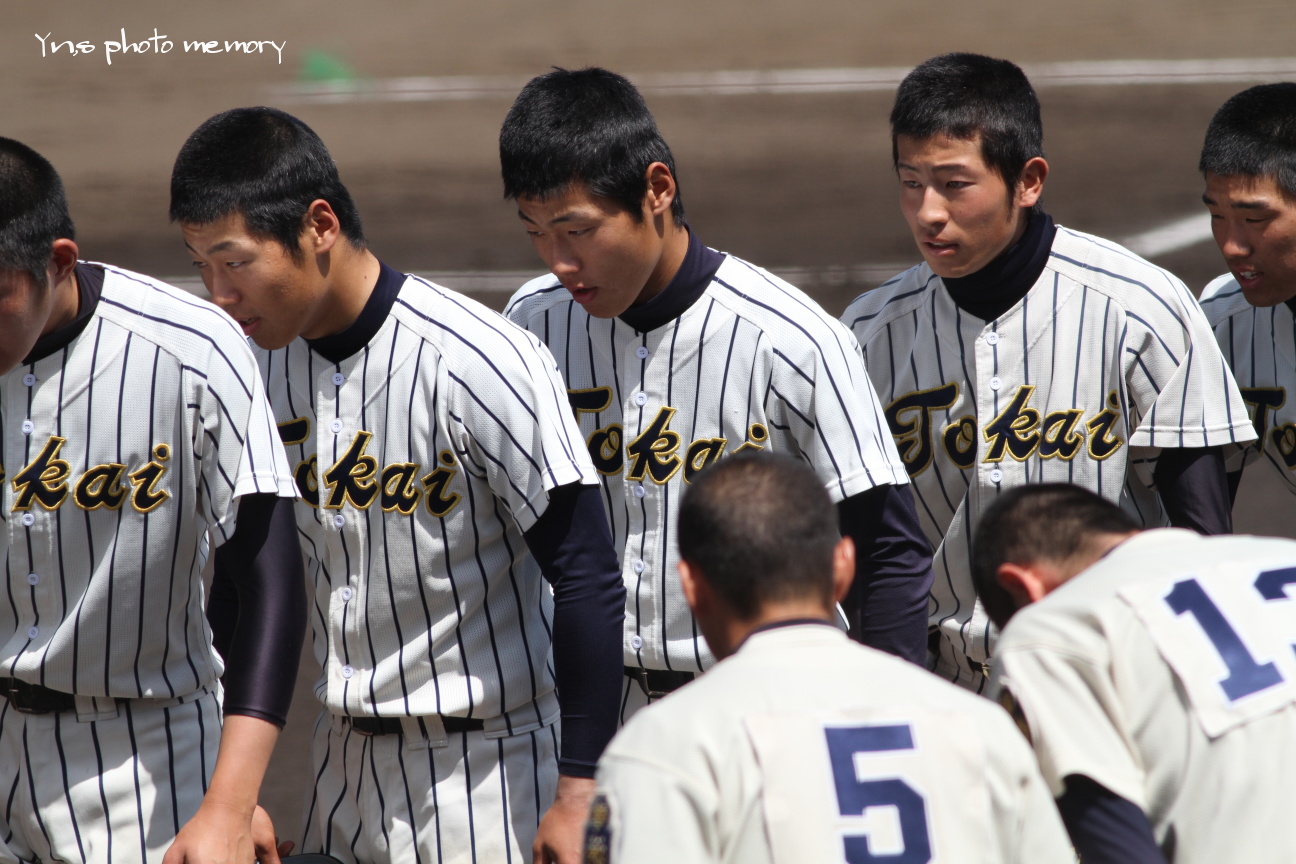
(1166, 673)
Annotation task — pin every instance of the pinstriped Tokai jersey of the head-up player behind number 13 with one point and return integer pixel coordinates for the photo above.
(1106, 361)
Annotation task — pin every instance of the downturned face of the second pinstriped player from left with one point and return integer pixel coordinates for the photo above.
(257, 283)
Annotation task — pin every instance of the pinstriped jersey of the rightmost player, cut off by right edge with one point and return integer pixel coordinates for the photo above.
(1260, 347)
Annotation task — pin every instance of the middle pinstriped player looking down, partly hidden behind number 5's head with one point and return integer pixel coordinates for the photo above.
(677, 356)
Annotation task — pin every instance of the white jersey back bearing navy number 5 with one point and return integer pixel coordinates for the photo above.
(805, 748)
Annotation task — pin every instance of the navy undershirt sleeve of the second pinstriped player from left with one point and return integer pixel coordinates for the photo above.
(573, 546)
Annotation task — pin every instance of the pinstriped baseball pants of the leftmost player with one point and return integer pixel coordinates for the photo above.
(104, 791)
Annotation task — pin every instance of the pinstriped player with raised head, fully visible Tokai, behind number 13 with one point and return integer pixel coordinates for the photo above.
(1021, 352)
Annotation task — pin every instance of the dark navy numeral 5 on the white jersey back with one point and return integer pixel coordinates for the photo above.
(856, 796)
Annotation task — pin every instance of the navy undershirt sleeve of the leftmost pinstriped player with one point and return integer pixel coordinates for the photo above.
(257, 609)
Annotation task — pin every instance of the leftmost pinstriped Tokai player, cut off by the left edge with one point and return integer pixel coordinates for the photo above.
(137, 438)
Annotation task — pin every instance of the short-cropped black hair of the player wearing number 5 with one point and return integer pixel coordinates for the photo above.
(761, 529)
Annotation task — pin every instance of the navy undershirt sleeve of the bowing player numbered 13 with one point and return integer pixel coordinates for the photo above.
(1106, 828)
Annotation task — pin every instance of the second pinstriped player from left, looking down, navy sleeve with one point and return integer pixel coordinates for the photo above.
(441, 477)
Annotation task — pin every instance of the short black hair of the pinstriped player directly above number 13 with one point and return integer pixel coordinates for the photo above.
(971, 97)
